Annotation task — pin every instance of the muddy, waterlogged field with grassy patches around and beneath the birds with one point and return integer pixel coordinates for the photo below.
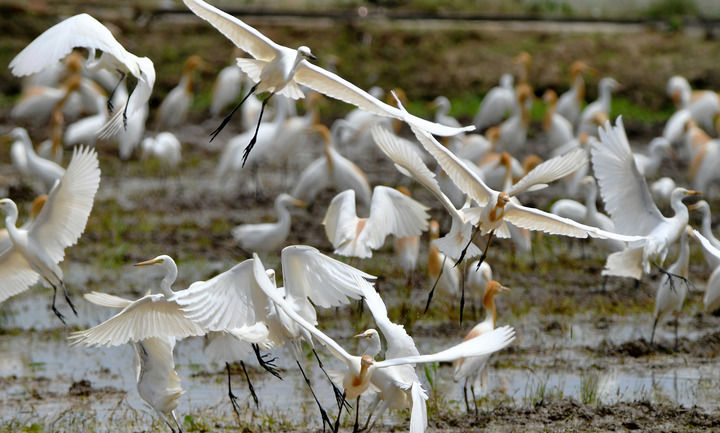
(581, 360)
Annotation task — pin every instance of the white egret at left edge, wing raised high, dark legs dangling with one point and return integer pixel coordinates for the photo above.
(37, 249)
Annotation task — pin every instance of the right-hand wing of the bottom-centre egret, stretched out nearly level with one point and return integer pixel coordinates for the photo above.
(487, 343)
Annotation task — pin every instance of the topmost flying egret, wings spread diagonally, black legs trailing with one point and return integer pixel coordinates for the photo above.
(278, 69)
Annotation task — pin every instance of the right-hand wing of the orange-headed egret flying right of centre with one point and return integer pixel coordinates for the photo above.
(536, 219)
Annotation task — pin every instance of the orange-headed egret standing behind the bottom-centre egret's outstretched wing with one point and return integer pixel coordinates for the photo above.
(473, 368)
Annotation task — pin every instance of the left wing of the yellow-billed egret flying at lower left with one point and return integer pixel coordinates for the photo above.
(149, 316)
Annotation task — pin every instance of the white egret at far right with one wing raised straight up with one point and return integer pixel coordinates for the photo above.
(628, 201)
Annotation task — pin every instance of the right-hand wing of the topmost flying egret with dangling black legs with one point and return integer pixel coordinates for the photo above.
(332, 85)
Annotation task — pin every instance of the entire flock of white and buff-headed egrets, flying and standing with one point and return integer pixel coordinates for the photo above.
(478, 182)
